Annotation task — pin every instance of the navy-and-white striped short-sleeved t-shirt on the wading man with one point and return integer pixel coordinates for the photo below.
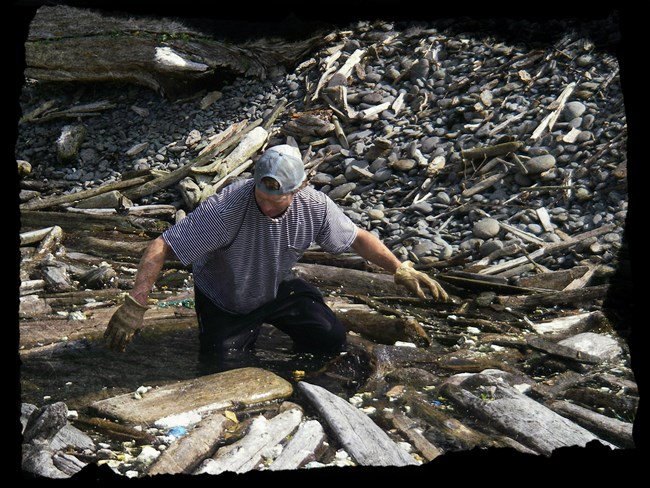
(239, 256)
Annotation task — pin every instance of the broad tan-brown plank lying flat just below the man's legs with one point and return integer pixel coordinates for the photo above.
(212, 393)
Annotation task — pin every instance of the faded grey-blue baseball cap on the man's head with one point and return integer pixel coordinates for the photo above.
(284, 164)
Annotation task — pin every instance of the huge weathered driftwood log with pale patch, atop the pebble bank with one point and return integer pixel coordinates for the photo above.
(70, 44)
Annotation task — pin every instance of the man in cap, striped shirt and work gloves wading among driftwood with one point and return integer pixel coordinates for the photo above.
(242, 244)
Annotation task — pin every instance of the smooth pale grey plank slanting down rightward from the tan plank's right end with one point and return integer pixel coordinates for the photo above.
(368, 444)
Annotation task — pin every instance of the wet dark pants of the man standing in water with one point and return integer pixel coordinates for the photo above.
(298, 310)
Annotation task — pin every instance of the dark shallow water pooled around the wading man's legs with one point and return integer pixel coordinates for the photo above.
(81, 372)
